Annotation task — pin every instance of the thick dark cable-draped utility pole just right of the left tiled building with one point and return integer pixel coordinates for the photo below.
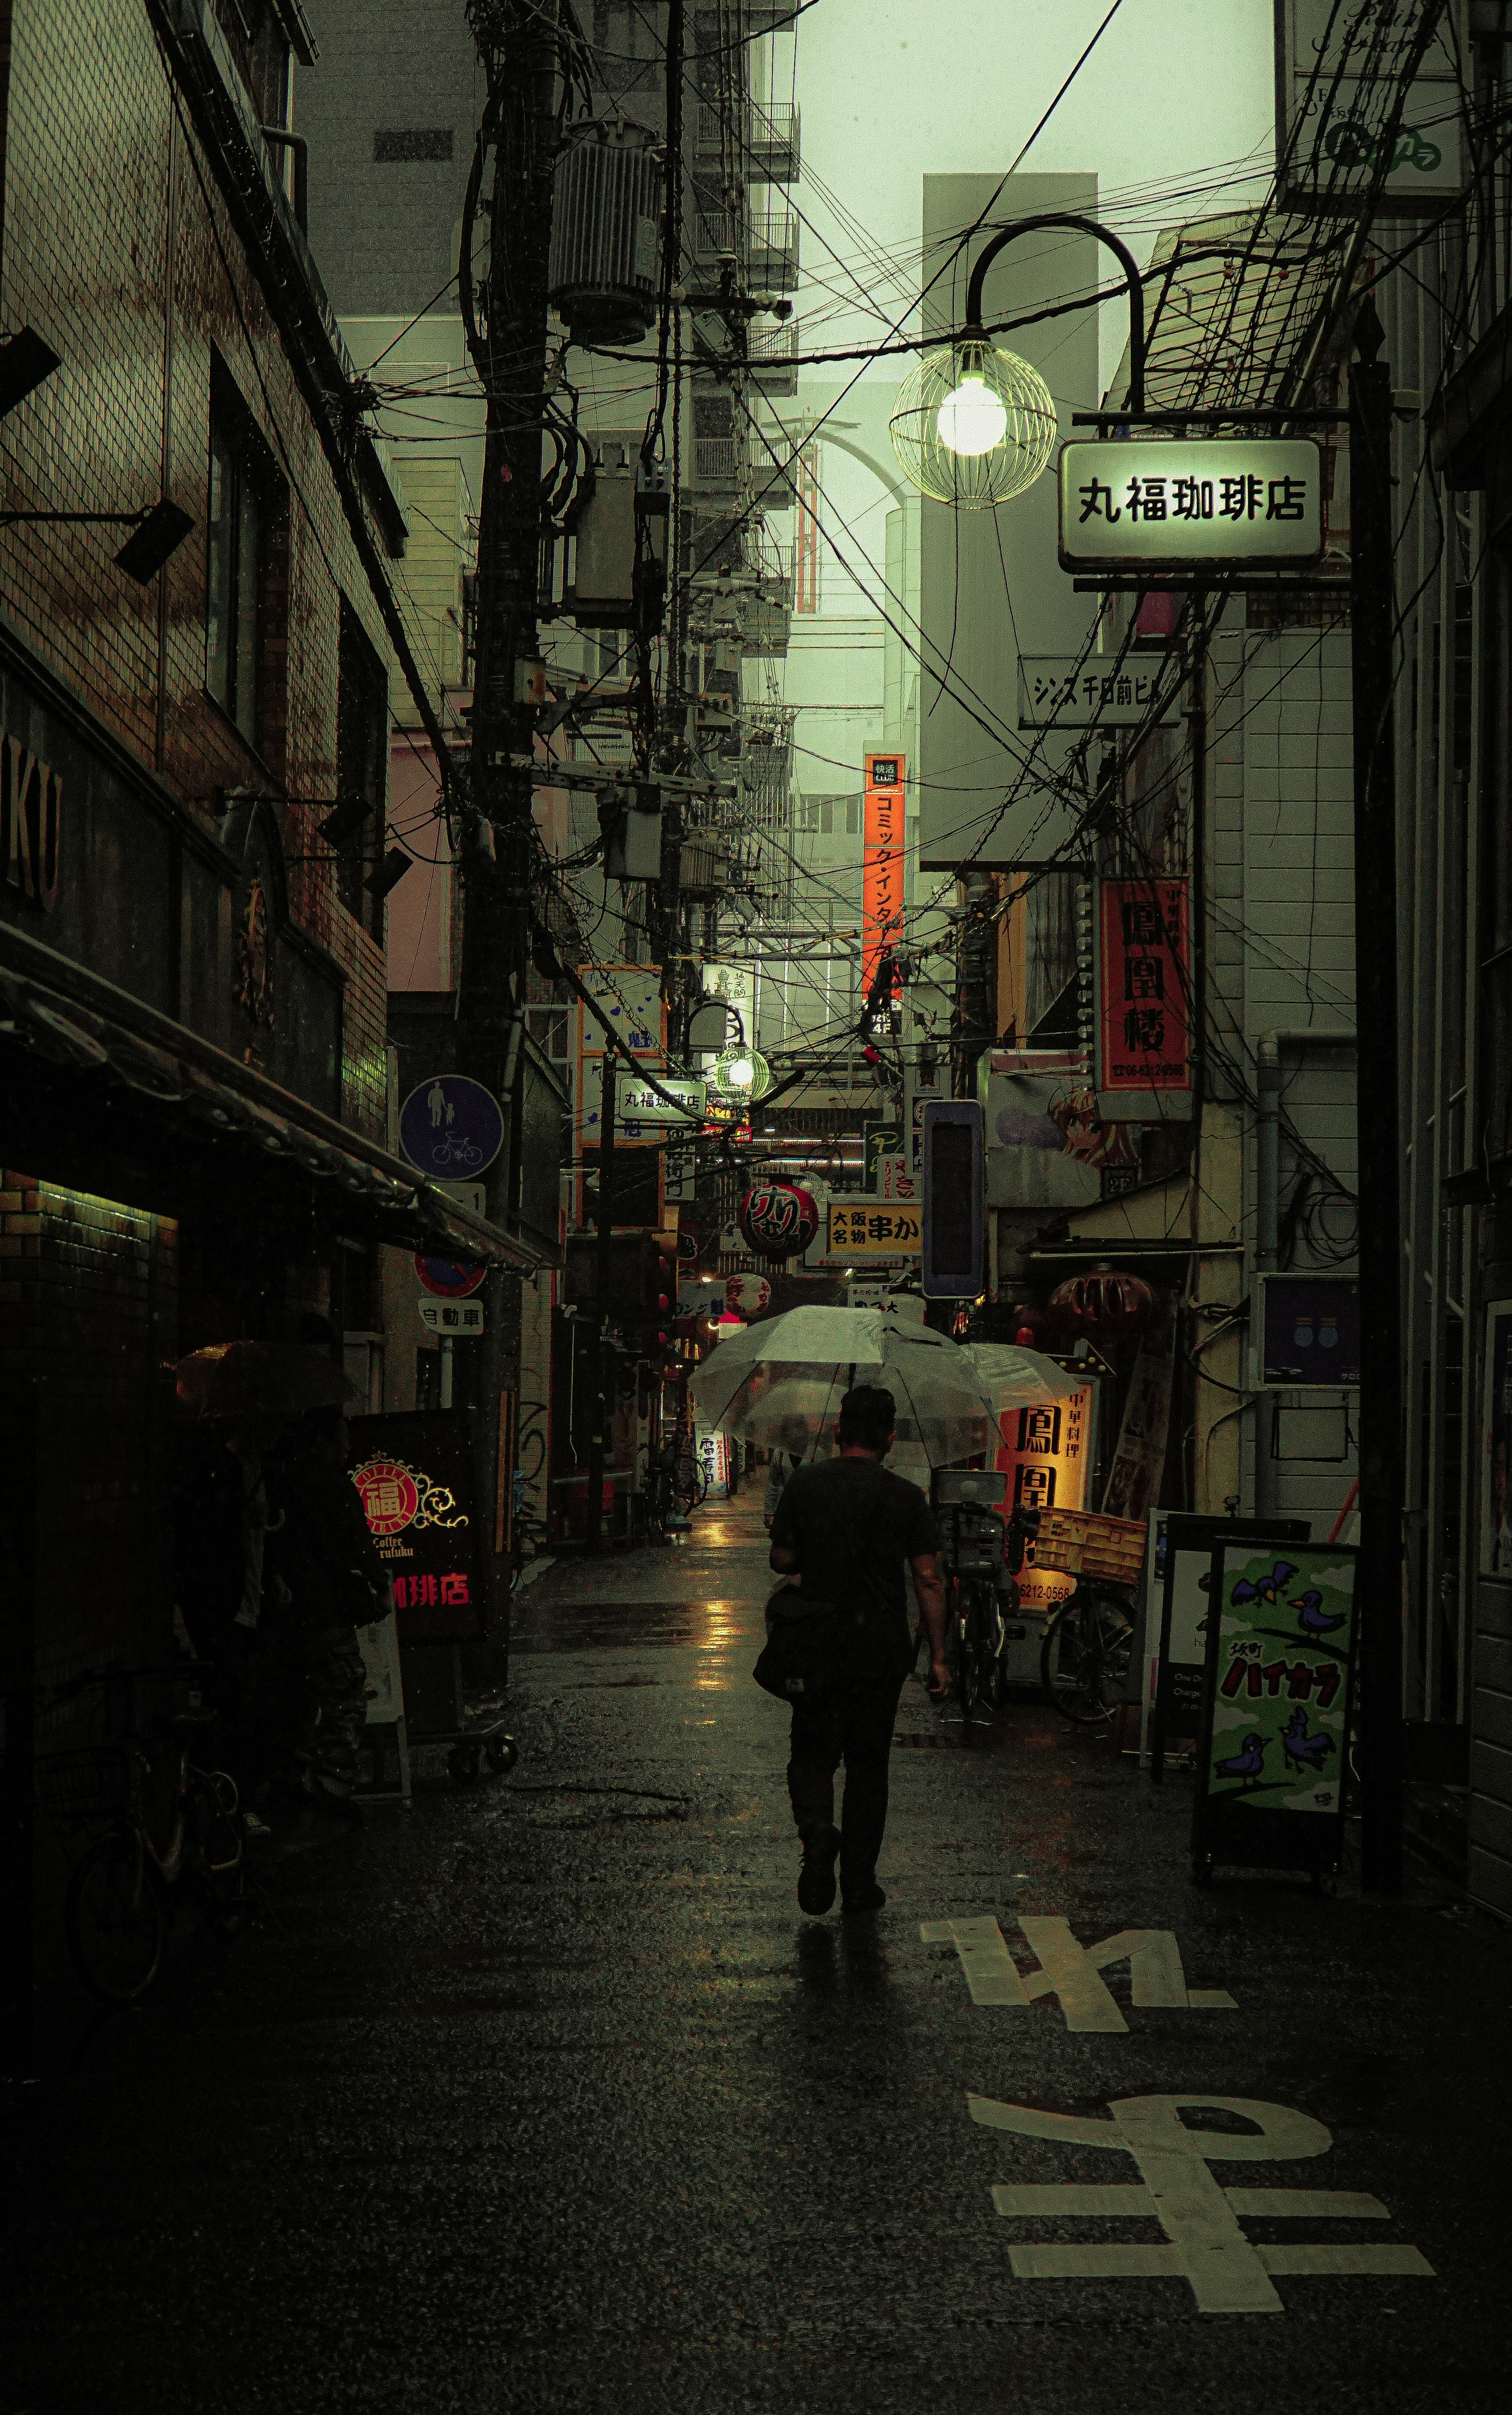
(518, 42)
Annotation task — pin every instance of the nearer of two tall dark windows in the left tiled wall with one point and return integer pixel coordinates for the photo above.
(243, 504)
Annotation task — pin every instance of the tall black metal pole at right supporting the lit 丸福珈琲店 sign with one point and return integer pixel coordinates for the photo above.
(1383, 1453)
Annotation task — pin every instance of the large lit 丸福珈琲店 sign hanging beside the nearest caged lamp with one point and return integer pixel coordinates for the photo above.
(1192, 504)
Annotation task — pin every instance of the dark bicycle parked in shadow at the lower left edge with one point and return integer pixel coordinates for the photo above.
(120, 1899)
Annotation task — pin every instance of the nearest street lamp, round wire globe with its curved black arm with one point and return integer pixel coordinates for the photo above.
(975, 426)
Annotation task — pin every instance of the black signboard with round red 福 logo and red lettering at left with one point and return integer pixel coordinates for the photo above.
(417, 1482)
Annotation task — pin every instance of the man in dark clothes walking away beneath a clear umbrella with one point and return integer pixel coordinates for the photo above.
(847, 1527)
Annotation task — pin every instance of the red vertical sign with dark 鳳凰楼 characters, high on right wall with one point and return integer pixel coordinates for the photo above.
(1146, 987)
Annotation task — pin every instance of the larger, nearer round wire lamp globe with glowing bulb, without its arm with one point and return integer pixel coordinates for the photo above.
(972, 426)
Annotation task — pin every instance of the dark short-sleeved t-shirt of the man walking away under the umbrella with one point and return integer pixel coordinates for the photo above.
(854, 1525)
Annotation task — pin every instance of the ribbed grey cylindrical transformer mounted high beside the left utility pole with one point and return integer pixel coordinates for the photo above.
(605, 233)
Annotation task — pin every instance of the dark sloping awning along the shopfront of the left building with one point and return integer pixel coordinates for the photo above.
(66, 1018)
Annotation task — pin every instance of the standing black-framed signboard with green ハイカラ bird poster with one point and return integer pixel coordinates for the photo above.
(1279, 1694)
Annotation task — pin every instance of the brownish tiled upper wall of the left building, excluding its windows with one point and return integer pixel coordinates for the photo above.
(120, 250)
